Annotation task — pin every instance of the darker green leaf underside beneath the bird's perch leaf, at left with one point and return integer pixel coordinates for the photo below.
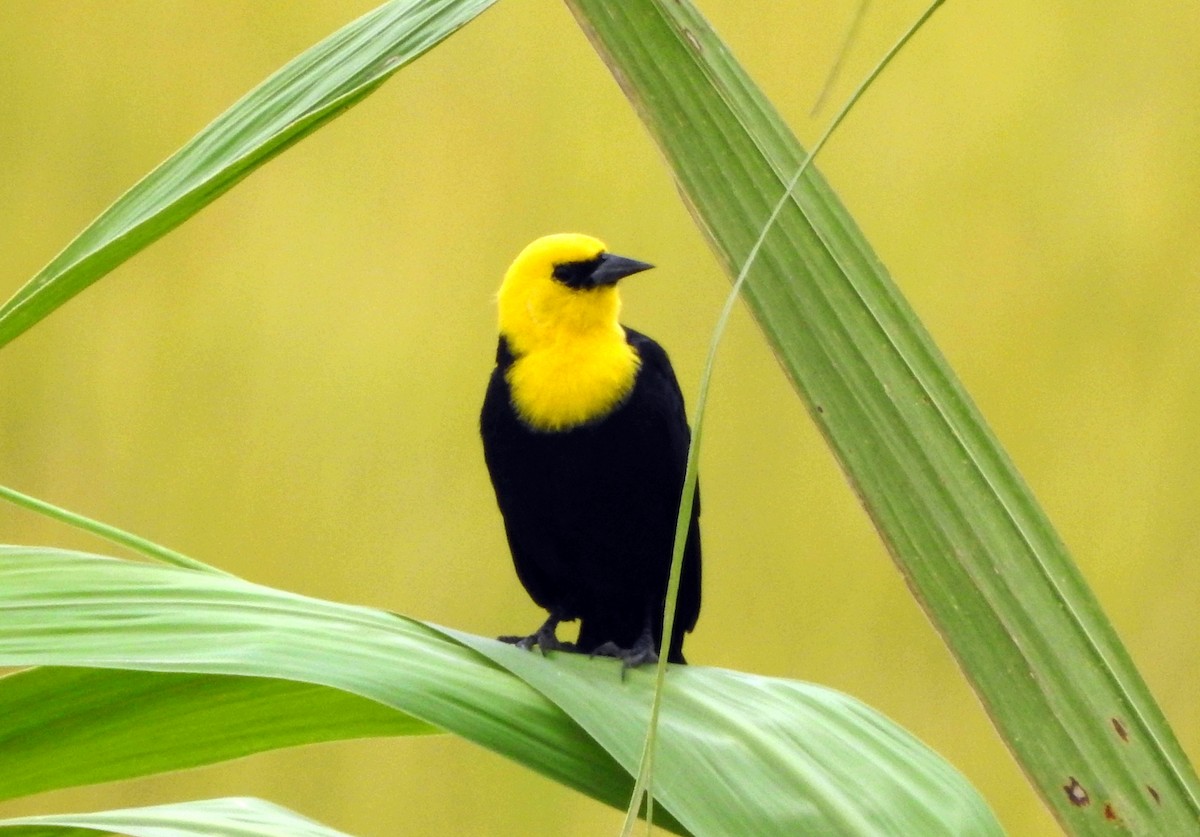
(112, 725)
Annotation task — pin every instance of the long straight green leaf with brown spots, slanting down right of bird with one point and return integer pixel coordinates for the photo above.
(977, 551)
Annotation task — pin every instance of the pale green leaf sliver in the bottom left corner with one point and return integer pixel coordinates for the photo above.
(245, 817)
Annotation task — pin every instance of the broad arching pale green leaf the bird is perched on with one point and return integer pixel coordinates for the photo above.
(741, 755)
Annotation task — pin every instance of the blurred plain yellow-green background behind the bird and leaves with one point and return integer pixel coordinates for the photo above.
(289, 386)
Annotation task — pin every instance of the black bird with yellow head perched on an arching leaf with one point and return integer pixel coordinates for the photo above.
(586, 442)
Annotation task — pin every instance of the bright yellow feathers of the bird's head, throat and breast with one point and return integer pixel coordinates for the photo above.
(572, 362)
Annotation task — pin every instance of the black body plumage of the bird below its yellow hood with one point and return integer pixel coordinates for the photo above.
(591, 511)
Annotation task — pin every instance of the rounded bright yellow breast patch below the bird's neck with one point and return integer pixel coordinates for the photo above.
(573, 382)
